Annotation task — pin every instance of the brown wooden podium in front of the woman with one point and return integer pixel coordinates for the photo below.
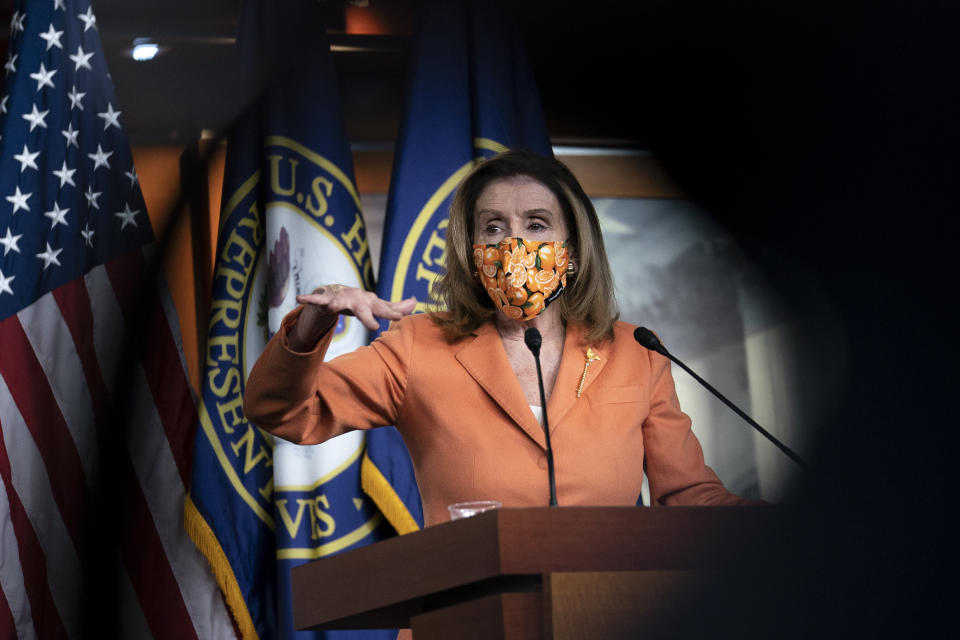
(562, 572)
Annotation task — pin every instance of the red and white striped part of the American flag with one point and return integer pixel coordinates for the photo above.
(59, 359)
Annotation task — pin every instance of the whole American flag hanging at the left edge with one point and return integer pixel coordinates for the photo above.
(97, 426)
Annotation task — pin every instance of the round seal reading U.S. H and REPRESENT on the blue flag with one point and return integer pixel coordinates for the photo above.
(292, 226)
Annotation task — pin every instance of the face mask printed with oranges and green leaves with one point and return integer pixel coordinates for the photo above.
(522, 277)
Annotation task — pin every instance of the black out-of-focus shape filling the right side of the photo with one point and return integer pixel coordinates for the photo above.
(822, 137)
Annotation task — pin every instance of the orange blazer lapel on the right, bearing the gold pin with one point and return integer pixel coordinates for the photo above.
(571, 374)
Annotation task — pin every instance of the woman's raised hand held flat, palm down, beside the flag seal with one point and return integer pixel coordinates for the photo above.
(322, 307)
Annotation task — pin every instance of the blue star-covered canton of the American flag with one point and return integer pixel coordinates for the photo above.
(46, 220)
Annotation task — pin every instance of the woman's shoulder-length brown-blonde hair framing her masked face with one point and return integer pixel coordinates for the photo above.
(589, 297)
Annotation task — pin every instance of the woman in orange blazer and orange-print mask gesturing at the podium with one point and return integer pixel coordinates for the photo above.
(524, 249)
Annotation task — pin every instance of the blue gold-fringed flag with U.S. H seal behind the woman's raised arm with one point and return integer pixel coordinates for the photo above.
(291, 221)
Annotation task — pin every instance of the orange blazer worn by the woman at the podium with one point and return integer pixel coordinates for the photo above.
(469, 429)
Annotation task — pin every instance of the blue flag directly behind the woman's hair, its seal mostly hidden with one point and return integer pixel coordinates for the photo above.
(471, 95)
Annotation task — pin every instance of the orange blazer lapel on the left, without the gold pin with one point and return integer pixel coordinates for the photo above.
(486, 361)
